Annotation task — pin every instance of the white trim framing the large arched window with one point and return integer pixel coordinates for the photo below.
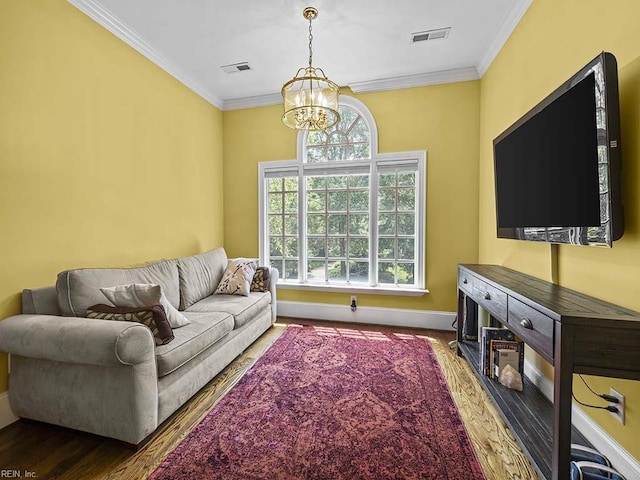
(299, 168)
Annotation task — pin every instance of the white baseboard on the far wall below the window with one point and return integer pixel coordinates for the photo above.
(396, 317)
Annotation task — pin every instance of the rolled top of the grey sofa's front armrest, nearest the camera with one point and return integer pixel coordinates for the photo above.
(77, 340)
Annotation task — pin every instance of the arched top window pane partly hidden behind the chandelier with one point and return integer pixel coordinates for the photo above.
(349, 139)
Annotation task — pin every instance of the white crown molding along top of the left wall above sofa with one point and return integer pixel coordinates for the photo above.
(112, 23)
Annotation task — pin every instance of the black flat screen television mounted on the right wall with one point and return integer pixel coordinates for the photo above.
(558, 168)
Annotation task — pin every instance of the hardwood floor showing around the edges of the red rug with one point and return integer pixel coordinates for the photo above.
(52, 452)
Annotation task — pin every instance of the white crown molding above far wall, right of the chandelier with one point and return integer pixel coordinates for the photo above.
(419, 80)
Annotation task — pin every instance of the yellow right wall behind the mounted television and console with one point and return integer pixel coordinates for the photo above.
(553, 40)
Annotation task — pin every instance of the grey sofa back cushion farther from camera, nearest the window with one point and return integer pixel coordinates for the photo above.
(200, 275)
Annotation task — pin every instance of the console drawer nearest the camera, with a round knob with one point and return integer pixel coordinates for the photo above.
(534, 328)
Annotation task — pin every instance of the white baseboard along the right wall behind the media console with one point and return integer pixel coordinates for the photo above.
(621, 460)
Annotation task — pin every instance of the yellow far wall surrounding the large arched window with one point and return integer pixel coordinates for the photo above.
(441, 119)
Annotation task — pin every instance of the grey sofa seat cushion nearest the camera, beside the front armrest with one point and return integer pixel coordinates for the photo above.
(204, 330)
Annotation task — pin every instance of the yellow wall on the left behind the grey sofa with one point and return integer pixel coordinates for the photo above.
(105, 159)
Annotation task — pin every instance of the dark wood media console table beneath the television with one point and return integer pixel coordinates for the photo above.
(576, 333)
